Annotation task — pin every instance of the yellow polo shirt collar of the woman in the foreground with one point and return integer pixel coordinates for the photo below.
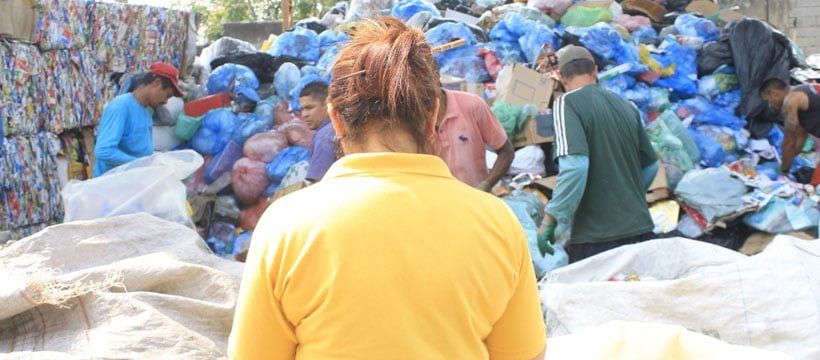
(389, 162)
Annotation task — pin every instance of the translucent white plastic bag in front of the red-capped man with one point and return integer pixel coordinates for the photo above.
(151, 184)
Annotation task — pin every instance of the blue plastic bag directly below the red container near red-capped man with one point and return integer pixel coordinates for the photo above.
(215, 132)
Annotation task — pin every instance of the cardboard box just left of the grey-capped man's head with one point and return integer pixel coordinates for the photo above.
(520, 85)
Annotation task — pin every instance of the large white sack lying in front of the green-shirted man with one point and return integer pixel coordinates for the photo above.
(769, 301)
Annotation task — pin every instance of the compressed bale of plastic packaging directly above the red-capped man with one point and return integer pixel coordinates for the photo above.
(129, 38)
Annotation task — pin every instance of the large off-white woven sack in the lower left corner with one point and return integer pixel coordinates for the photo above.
(126, 287)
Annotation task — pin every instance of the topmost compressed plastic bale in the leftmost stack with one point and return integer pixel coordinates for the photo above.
(61, 24)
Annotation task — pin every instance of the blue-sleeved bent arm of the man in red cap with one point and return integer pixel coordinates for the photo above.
(110, 133)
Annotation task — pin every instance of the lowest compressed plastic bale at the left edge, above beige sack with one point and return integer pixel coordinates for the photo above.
(30, 190)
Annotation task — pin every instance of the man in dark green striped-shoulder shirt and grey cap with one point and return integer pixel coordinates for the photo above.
(606, 164)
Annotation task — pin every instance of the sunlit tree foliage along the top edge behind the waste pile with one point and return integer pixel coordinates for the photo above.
(212, 16)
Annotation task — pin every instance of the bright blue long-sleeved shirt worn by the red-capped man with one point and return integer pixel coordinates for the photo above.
(124, 134)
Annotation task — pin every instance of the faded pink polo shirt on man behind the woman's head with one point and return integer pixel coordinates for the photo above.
(468, 128)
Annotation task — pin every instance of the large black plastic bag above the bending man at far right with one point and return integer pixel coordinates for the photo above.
(758, 55)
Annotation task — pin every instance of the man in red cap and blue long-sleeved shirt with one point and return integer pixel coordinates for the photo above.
(124, 133)
